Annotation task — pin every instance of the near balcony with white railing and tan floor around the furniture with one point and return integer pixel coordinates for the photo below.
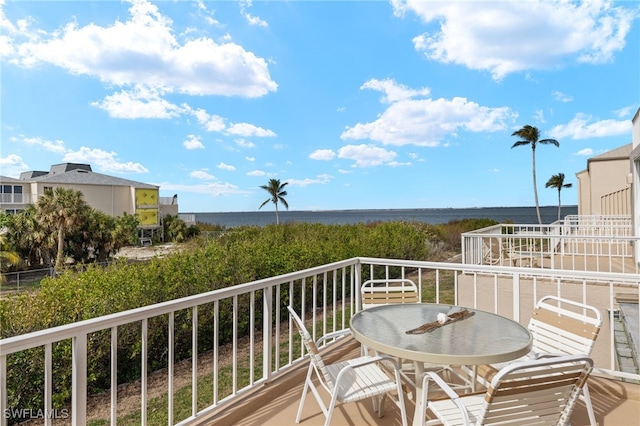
(256, 378)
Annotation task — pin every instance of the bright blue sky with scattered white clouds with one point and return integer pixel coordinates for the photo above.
(356, 104)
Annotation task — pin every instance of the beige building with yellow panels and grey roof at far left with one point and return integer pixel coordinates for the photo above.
(111, 195)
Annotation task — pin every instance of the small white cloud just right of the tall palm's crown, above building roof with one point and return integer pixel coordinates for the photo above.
(580, 128)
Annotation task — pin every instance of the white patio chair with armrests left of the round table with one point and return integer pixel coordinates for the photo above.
(348, 381)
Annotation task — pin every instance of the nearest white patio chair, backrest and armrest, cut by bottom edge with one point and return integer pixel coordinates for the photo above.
(542, 391)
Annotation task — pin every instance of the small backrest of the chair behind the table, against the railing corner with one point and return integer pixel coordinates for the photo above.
(386, 291)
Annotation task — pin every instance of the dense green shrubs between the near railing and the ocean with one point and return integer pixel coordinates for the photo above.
(239, 255)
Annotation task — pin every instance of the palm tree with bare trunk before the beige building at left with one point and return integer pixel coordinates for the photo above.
(62, 208)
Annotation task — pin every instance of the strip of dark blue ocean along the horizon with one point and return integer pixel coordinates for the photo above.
(517, 215)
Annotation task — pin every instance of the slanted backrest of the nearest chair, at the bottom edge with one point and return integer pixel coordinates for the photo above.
(543, 391)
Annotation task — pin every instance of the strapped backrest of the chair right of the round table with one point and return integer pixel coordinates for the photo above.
(562, 326)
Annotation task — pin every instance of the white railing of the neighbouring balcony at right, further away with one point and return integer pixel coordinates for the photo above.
(588, 243)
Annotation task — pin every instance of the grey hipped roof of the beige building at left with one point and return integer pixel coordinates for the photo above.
(71, 173)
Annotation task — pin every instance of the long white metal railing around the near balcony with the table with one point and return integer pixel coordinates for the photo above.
(324, 295)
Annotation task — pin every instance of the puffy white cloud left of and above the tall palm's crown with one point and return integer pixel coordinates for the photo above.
(425, 122)
